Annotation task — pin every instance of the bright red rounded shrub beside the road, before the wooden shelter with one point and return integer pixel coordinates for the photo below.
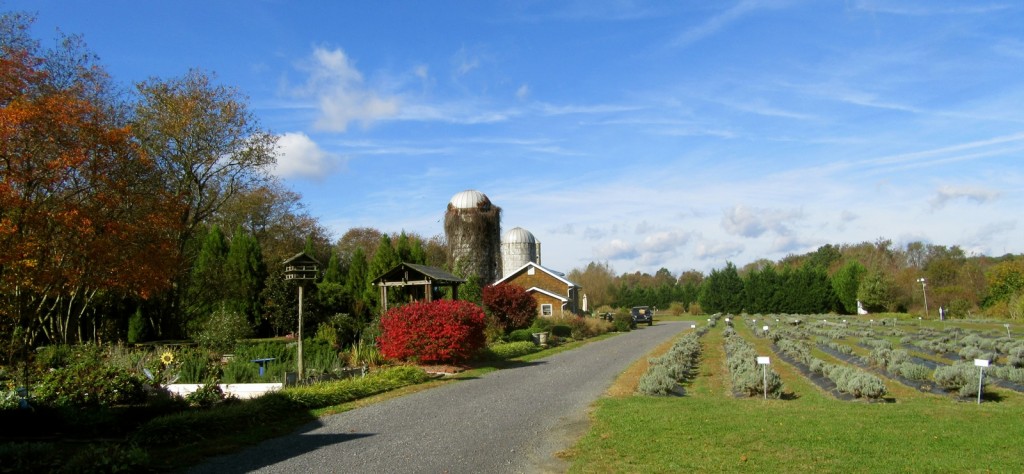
(442, 331)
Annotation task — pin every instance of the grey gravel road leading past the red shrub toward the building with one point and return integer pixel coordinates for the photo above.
(513, 420)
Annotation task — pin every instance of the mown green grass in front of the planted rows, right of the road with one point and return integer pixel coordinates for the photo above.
(710, 430)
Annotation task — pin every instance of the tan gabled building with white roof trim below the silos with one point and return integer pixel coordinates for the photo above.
(554, 294)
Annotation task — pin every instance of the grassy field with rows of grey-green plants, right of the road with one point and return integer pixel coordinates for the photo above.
(809, 422)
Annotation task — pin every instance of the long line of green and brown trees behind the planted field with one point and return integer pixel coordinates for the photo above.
(832, 279)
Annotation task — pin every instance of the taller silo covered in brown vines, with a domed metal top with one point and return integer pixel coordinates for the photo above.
(474, 231)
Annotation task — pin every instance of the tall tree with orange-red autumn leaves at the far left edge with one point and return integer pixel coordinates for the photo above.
(81, 211)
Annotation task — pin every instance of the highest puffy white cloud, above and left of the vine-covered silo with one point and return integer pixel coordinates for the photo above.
(342, 95)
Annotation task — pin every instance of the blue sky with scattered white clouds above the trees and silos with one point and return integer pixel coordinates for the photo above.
(646, 135)
